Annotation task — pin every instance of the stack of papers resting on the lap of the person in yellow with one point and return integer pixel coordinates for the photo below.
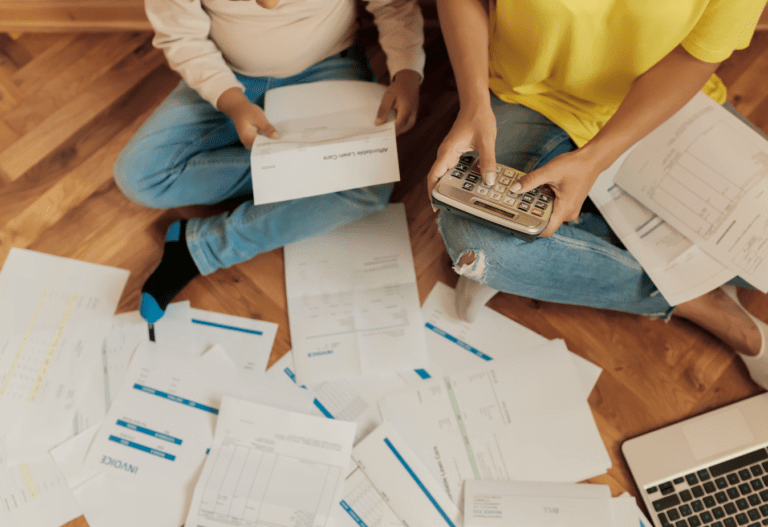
(689, 202)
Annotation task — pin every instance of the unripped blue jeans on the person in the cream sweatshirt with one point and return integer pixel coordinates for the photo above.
(188, 153)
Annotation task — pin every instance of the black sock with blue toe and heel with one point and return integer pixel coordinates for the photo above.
(175, 270)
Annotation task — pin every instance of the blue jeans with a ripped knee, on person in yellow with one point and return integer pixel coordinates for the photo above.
(583, 263)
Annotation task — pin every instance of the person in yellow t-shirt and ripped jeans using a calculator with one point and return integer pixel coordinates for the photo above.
(560, 89)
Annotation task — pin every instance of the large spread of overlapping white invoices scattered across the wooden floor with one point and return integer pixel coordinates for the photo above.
(183, 425)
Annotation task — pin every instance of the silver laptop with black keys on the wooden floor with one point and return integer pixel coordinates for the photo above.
(707, 471)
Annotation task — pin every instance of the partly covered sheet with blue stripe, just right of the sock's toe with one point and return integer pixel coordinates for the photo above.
(248, 342)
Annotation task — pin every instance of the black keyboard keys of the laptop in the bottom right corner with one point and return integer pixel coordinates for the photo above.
(733, 493)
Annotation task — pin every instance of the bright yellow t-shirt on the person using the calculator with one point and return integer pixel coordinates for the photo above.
(575, 60)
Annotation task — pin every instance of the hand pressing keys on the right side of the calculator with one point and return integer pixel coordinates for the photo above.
(570, 176)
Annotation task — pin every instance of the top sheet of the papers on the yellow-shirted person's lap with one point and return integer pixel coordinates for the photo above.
(705, 172)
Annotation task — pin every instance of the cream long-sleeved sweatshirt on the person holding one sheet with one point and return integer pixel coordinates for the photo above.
(205, 41)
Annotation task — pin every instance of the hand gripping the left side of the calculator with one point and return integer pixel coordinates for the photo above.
(473, 130)
